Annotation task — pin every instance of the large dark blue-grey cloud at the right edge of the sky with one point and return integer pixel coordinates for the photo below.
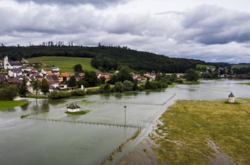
(215, 25)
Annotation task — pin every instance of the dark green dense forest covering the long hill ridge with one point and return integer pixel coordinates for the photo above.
(104, 57)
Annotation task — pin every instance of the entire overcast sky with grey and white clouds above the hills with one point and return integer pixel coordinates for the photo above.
(210, 30)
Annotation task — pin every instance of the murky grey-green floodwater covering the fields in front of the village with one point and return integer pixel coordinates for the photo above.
(49, 136)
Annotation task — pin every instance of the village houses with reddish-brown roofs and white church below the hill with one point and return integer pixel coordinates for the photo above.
(16, 71)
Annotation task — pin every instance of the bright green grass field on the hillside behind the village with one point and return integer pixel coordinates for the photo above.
(65, 64)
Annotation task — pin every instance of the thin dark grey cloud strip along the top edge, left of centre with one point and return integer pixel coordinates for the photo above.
(96, 3)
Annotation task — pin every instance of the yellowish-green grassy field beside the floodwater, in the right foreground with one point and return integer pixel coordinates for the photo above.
(188, 126)
